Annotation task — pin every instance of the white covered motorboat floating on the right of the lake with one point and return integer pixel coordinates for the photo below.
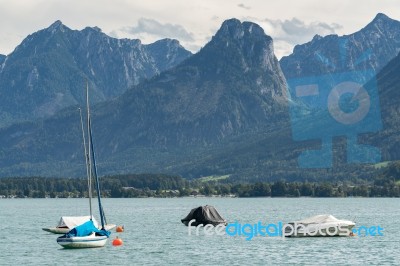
(319, 225)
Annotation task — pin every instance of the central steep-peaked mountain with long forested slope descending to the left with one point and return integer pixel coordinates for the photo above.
(215, 95)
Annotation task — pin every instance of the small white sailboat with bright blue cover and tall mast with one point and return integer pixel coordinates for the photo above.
(87, 235)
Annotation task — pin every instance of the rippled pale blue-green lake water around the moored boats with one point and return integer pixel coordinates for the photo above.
(154, 234)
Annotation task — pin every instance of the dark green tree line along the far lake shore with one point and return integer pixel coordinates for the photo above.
(159, 185)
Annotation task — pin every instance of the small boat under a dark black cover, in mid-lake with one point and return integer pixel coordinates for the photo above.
(204, 215)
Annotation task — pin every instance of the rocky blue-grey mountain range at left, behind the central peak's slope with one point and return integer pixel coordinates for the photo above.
(48, 70)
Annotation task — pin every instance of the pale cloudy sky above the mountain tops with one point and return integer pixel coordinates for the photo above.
(193, 23)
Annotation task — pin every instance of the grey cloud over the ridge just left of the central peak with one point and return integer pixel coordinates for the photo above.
(153, 27)
